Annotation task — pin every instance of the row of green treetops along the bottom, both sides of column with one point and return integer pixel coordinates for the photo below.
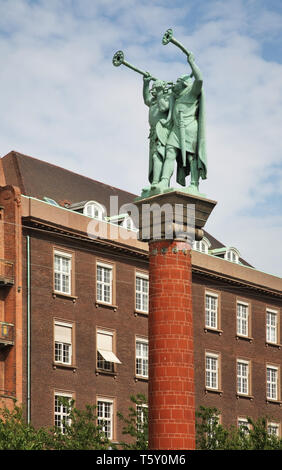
(81, 431)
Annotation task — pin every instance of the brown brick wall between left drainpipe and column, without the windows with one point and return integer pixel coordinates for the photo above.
(81, 379)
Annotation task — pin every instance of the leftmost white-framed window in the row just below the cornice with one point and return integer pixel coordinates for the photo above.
(62, 272)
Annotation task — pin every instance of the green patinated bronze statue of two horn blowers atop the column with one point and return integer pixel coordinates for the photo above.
(177, 126)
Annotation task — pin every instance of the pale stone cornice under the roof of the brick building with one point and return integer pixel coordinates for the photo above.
(38, 215)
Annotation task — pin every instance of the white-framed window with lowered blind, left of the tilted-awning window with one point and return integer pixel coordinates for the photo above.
(63, 342)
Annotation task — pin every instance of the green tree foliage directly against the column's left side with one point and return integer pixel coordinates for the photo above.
(136, 424)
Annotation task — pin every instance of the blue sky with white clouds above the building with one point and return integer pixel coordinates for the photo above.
(63, 101)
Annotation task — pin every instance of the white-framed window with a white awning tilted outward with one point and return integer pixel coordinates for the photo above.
(106, 357)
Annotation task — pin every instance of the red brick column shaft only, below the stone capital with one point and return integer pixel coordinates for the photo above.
(171, 365)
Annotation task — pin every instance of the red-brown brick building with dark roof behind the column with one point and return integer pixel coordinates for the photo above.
(74, 307)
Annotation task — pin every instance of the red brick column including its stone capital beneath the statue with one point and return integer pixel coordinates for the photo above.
(171, 346)
